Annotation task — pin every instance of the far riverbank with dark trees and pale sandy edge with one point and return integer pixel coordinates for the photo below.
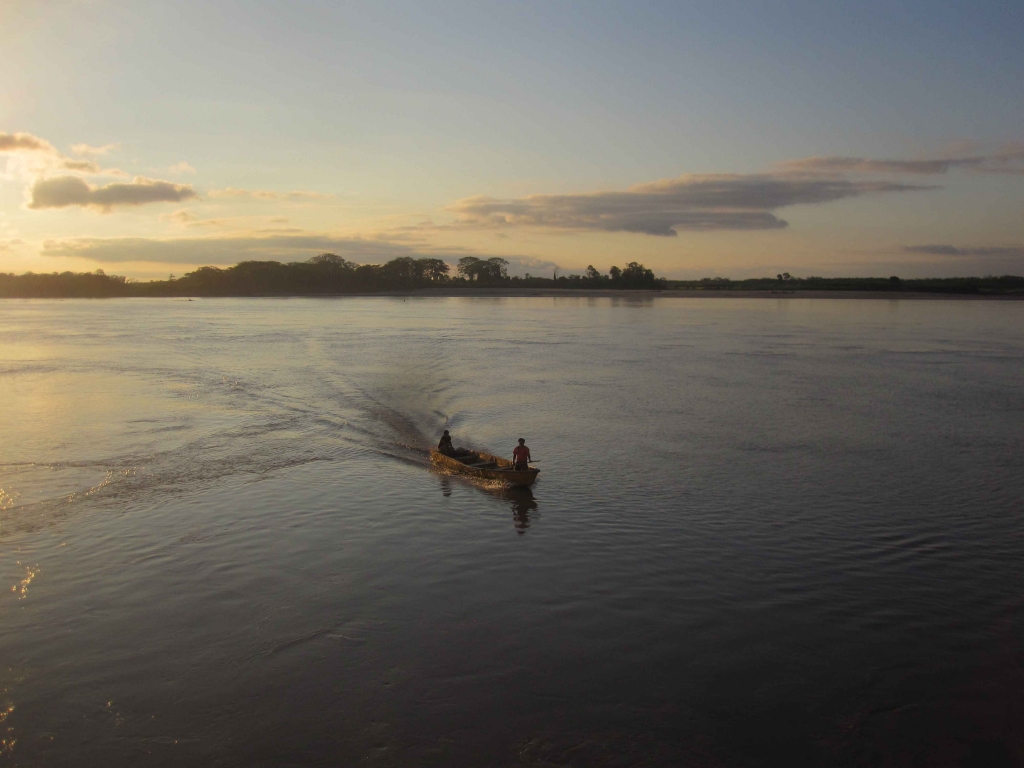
(329, 275)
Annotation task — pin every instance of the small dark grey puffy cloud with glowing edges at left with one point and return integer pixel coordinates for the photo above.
(62, 192)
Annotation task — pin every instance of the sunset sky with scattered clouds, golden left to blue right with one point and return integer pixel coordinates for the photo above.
(701, 139)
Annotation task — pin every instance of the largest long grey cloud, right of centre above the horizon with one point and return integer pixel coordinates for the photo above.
(697, 203)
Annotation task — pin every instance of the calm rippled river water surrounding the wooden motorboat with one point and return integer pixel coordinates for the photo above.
(770, 528)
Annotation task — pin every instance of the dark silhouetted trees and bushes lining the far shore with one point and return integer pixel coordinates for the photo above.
(331, 275)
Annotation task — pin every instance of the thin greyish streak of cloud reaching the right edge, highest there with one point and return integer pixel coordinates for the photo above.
(1008, 160)
